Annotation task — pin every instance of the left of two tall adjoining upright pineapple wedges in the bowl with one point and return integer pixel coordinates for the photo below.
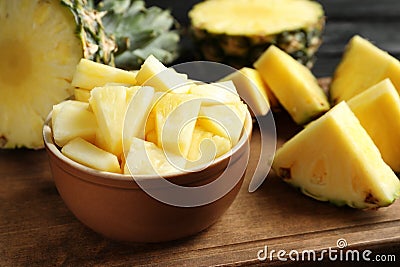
(109, 106)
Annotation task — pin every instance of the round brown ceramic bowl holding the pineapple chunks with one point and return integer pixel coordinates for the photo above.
(115, 206)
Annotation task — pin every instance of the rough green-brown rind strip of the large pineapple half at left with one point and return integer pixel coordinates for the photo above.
(97, 44)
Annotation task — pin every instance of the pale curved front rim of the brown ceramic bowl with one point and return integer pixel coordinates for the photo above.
(55, 151)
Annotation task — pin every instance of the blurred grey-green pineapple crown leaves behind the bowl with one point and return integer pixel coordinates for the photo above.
(140, 31)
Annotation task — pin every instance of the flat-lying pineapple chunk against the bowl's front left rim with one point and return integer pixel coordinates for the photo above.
(91, 156)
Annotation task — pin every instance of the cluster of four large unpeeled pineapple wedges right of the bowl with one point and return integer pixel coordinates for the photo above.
(346, 154)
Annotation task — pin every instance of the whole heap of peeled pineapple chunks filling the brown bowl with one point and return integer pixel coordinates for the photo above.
(152, 121)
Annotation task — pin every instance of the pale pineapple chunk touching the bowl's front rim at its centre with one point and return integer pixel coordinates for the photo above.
(146, 158)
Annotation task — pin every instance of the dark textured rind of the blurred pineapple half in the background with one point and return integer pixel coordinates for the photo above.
(241, 50)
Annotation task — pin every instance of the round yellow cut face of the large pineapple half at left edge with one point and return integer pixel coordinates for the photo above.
(39, 52)
